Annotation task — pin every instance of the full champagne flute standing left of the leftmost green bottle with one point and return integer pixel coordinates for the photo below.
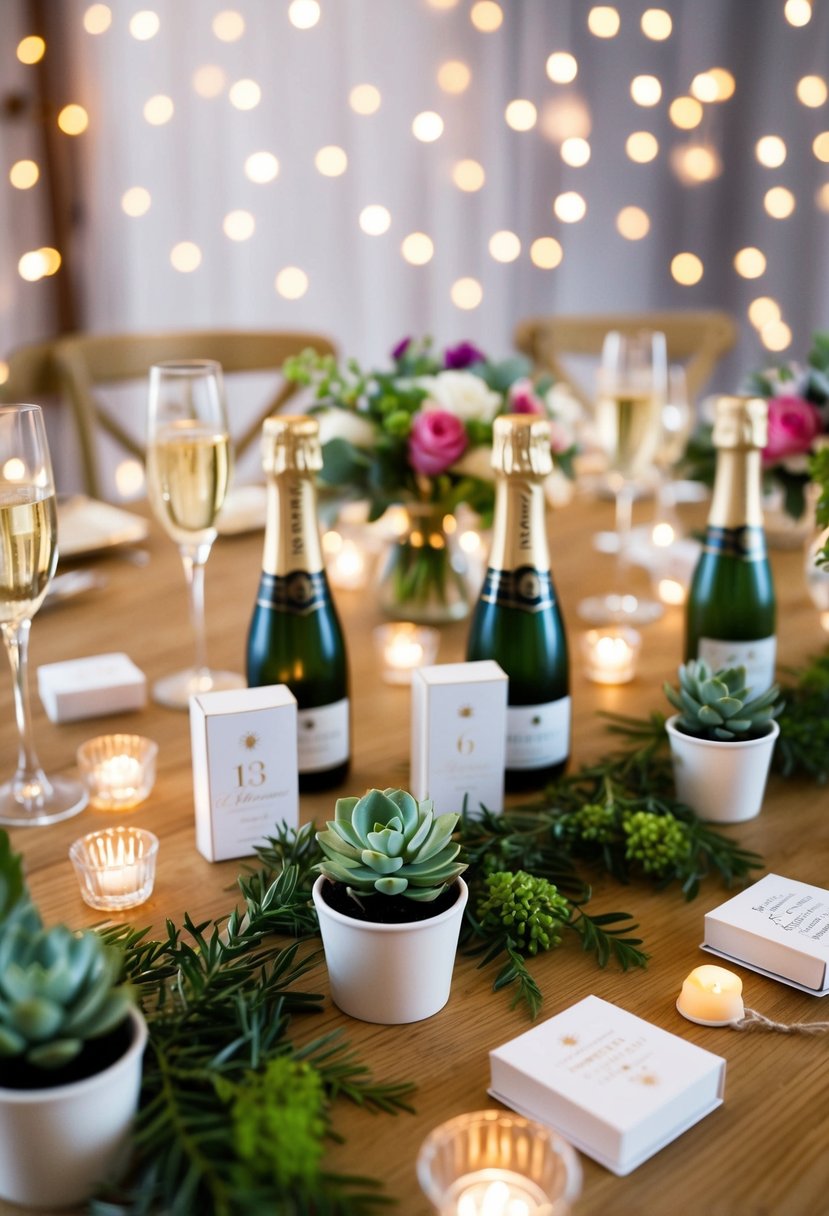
(189, 466)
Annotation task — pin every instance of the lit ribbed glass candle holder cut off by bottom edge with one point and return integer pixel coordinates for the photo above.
(494, 1163)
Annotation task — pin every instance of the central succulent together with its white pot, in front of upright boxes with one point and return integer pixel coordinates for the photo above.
(391, 900)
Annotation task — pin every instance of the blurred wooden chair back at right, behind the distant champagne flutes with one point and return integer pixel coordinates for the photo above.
(696, 340)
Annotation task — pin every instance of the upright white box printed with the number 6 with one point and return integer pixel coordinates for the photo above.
(459, 735)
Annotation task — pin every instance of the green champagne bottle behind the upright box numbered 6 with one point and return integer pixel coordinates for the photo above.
(517, 621)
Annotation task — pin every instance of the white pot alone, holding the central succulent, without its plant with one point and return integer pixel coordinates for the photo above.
(391, 973)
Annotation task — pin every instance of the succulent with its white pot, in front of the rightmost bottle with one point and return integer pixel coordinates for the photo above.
(721, 741)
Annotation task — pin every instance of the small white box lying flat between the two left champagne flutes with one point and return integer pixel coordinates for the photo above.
(92, 688)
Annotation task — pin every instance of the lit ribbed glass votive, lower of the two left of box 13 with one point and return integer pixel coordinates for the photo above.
(116, 868)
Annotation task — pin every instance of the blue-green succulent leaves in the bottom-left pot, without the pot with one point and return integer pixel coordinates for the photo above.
(58, 988)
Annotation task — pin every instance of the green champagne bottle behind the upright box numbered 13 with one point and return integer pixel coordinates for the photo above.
(296, 637)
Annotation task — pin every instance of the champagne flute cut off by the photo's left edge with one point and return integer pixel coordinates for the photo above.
(29, 556)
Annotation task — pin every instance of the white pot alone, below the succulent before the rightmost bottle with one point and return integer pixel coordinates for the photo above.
(724, 782)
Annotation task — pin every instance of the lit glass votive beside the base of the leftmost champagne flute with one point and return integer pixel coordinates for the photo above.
(119, 770)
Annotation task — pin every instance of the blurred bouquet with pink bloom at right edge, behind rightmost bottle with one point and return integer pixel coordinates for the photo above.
(798, 418)
